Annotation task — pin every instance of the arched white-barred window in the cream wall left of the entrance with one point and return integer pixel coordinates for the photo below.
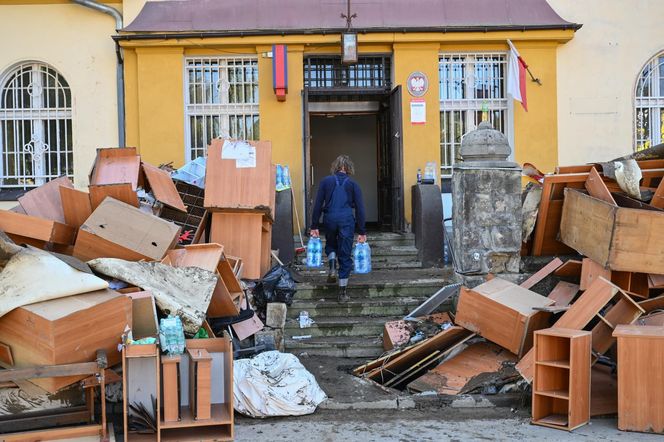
(35, 126)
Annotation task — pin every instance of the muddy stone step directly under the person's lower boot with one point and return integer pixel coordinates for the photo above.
(355, 307)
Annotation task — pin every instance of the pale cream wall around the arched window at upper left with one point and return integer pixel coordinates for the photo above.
(77, 42)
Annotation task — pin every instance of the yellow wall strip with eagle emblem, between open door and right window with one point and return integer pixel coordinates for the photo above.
(421, 142)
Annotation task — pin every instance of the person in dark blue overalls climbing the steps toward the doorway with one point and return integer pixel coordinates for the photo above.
(338, 197)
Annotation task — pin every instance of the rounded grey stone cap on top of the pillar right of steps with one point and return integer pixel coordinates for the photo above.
(486, 146)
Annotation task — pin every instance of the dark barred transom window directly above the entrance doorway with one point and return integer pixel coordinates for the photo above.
(326, 72)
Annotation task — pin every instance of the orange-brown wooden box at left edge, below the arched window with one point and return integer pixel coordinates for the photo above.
(39, 229)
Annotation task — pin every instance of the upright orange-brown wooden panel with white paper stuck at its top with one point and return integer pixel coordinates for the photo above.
(229, 187)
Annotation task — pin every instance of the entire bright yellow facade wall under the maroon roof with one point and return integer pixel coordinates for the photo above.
(155, 108)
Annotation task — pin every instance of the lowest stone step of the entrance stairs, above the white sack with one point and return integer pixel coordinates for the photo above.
(355, 347)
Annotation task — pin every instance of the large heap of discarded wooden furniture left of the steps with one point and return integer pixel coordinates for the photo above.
(85, 273)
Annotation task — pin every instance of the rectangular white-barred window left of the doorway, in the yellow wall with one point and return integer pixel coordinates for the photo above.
(221, 100)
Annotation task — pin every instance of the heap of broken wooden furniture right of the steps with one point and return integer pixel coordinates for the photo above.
(581, 344)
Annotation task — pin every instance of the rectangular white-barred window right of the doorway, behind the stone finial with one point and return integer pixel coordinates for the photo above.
(472, 88)
